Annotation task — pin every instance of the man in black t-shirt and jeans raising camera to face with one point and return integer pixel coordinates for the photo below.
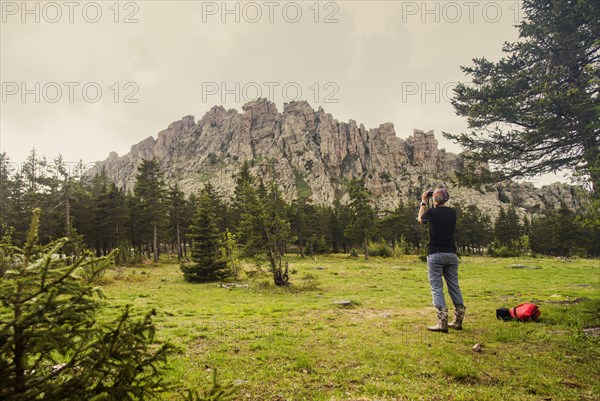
(442, 260)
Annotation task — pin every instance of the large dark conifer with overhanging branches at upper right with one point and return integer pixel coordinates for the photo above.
(536, 110)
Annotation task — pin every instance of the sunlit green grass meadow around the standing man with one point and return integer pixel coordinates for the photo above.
(296, 344)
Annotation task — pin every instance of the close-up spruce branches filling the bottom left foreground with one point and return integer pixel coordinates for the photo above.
(52, 348)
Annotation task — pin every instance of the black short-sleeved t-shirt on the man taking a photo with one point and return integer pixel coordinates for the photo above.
(442, 223)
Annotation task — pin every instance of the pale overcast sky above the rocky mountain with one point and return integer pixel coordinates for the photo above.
(86, 78)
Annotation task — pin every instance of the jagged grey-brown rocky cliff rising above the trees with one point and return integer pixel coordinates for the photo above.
(309, 152)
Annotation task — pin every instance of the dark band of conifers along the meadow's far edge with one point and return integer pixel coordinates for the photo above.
(156, 218)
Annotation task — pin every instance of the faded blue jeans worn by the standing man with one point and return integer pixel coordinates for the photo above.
(444, 265)
